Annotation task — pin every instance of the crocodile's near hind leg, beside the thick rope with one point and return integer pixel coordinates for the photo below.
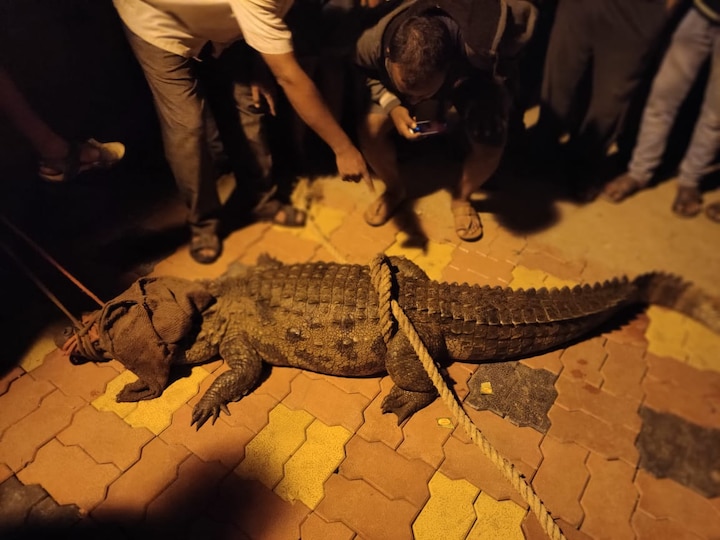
(413, 388)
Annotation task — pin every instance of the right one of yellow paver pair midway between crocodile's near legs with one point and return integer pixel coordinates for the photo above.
(309, 468)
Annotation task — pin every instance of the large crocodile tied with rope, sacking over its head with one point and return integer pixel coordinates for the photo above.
(327, 318)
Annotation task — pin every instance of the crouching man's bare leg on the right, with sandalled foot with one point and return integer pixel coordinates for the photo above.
(479, 166)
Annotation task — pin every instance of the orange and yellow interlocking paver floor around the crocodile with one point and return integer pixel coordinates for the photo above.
(618, 434)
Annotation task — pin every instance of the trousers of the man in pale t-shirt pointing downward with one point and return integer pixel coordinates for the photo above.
(190, 135)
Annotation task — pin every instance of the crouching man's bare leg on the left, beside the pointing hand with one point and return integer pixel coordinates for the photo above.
(380, 153)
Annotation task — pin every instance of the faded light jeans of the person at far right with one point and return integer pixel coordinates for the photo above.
(693, 42)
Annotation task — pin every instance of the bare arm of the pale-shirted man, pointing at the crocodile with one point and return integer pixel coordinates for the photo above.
(310, 106)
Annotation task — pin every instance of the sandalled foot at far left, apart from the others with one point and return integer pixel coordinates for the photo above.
(70, 166)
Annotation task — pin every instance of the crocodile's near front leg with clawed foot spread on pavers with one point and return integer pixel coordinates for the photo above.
(245, 369)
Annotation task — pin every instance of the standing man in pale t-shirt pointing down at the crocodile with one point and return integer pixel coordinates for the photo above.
(168, 39)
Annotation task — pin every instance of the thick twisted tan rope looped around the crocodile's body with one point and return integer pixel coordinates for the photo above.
(391, 314)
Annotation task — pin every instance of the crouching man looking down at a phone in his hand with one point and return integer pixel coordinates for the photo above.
(458, 53)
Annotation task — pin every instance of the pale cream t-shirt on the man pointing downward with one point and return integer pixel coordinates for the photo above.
(184, 26)
